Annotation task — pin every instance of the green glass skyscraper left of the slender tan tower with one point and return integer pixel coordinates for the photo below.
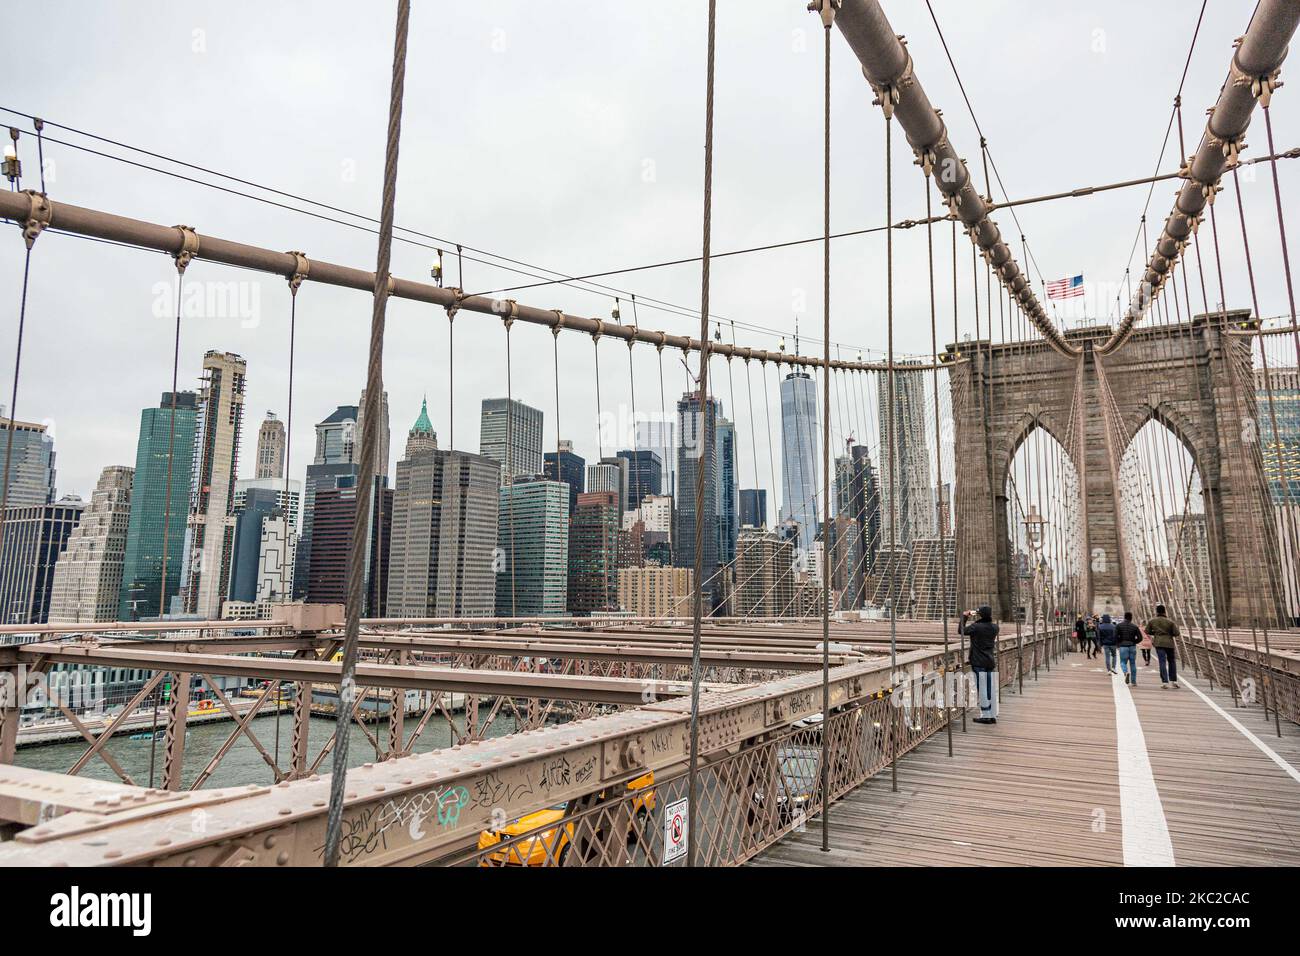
(158, 520)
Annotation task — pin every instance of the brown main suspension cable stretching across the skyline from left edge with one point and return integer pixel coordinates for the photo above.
(174, 240)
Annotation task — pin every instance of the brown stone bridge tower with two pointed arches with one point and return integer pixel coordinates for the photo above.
(1194, 378)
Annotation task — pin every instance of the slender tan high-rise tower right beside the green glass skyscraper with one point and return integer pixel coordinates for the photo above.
(211, 527)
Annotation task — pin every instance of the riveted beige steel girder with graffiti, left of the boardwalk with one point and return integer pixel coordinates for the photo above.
(414, 810)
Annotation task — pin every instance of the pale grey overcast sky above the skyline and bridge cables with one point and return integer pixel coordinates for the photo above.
(566, 135)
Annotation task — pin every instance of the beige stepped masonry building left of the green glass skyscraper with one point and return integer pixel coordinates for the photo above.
(89, 576)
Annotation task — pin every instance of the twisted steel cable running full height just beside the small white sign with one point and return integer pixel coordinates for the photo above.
(701, 443)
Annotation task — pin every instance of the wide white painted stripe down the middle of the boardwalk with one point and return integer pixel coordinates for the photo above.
(1145, 832)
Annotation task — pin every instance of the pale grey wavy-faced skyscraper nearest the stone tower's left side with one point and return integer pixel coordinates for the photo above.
(916, 499)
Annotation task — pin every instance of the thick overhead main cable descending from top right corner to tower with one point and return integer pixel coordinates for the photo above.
(1253, 76)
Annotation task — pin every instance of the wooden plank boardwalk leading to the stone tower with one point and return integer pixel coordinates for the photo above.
(1080, 772)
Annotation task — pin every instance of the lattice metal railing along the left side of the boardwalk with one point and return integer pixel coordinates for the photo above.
(772, 786)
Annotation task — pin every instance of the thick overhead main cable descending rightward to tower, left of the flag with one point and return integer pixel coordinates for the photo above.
(889, 68)
